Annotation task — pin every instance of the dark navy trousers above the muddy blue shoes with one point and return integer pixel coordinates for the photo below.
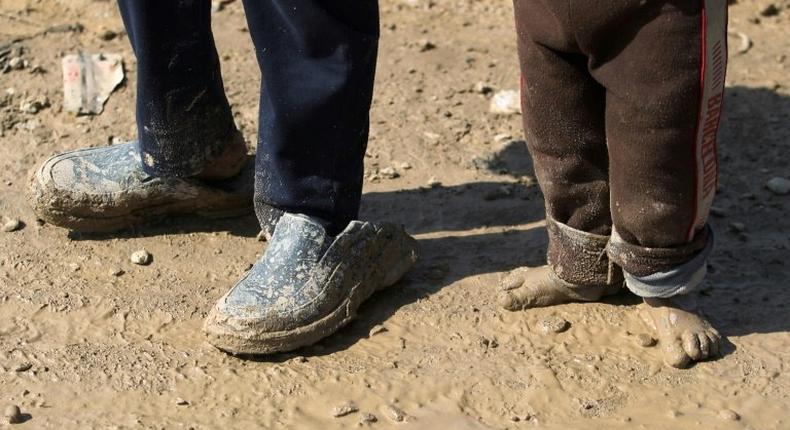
(317, 60)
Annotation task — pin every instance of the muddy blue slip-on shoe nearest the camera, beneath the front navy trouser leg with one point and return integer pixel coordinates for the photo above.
(307, 285)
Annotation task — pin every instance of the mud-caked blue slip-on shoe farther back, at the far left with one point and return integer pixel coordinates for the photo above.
(103, 189)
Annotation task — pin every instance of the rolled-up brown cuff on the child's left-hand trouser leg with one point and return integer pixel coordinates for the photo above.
(579, 257)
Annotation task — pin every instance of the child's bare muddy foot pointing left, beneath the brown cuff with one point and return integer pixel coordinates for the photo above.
(537, 287)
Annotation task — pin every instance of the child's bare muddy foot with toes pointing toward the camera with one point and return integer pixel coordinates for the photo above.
(684, 336)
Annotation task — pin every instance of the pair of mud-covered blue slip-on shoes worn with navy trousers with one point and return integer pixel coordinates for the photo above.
(305, 287)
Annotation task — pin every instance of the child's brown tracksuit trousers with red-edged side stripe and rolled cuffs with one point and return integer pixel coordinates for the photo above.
(622, 100)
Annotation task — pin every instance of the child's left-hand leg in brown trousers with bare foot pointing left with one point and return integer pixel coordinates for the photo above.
(564, 122)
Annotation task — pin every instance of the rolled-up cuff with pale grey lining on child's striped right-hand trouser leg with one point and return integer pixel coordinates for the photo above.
(665, 282)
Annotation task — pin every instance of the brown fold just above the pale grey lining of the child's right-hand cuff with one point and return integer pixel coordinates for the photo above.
(644, 261)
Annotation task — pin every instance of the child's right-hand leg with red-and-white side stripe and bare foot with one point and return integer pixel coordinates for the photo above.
(664, 76)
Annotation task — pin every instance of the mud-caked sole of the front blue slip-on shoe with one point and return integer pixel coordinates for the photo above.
(397, 257)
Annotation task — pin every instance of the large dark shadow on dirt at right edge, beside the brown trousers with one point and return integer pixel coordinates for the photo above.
(748, 283)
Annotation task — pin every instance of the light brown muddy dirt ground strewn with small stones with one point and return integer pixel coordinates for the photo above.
(81, 347)
